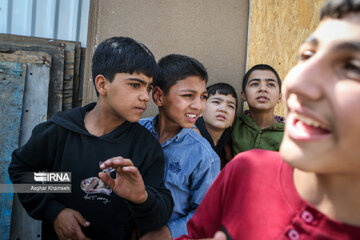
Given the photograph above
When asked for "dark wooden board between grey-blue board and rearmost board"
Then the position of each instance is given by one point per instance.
(57, 69)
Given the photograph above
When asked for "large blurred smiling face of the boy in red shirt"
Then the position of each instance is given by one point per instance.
(323, 100)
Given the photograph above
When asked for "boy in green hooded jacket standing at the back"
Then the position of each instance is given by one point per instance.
(258, 127)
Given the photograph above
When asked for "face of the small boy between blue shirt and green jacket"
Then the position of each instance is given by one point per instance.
(219, 111)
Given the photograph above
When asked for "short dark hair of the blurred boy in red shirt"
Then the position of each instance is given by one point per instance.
(339, 8)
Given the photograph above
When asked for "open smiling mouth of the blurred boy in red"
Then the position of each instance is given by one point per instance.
(304, 128)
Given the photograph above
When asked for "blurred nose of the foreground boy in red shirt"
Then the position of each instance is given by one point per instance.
(307, 79)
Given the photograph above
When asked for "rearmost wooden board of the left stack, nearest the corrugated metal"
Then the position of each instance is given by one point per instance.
(70, 63)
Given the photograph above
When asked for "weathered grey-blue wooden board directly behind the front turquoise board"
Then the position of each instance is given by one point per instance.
(34, 112)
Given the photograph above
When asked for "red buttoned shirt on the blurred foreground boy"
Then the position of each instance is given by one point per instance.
(254, 197)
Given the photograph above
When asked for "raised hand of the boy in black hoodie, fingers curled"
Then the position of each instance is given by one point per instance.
(128, 183)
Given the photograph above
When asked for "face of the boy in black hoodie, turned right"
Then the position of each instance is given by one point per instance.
(127, 96)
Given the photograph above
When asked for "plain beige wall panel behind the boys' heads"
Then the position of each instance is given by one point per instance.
(213, 31)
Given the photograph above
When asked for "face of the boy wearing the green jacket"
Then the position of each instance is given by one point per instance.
(262, 90)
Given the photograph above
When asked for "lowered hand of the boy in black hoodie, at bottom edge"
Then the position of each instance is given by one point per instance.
(67, 226)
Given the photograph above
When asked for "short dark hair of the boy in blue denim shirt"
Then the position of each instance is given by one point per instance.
(175, 67)
